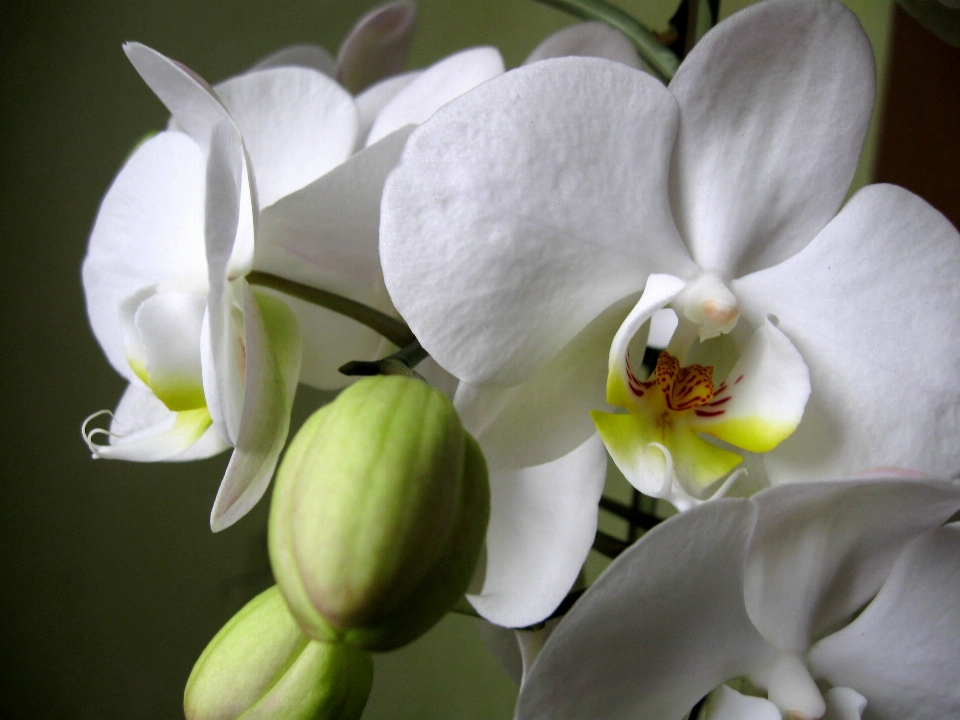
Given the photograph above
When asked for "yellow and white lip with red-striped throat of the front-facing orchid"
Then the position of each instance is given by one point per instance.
(669, 442)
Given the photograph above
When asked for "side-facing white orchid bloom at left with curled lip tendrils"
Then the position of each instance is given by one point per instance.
(277, 170)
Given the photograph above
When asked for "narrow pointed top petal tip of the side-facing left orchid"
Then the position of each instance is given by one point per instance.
(187, 96)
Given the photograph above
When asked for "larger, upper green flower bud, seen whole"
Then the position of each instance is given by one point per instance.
(379, 513)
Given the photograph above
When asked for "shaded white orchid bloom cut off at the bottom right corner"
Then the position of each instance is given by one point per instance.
(825, 597)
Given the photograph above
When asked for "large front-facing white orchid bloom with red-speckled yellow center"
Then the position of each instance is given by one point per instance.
(534, 226)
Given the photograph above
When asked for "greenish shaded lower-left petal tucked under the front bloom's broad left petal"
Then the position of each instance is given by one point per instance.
(548, 415)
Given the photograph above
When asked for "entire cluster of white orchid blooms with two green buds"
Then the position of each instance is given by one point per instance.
(604, 254)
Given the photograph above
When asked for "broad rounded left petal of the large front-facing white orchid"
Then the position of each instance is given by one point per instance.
(524, 209)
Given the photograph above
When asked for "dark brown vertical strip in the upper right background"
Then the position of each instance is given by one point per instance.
(920, 139)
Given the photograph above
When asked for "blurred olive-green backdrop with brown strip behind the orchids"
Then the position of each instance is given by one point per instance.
(112, 583)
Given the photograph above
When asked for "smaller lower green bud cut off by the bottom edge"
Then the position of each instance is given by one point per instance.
(260, 666)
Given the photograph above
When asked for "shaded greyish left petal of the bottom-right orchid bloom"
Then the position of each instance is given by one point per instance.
(662, 627)
